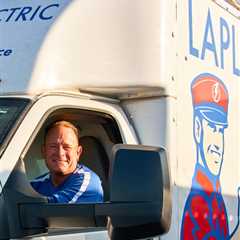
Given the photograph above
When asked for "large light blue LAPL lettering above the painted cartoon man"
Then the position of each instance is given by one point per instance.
(226, 44)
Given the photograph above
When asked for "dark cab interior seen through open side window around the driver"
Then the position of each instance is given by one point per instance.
(98, 134)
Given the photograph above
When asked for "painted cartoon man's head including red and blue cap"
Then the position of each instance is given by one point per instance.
(210, 104)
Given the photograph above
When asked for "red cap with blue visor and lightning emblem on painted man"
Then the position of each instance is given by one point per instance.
(210, 97)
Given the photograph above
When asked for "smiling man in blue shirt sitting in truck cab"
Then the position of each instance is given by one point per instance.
(67, 181)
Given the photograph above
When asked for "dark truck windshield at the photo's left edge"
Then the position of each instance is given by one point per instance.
(10, 111)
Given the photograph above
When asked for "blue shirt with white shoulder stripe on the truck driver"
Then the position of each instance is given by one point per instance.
(83, 186)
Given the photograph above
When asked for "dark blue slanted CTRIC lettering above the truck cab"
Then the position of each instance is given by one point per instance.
(28, 13)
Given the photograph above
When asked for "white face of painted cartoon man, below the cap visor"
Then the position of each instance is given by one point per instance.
(213, 145)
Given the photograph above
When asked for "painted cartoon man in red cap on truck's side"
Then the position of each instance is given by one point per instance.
(205, 215)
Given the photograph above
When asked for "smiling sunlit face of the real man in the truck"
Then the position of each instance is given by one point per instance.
(61, 150)
